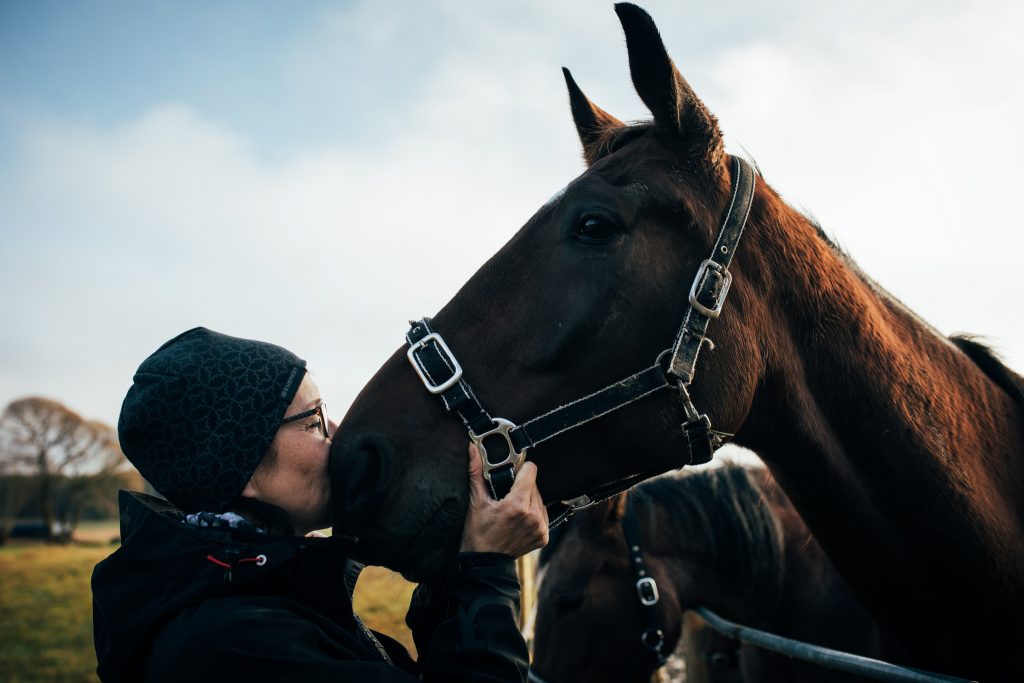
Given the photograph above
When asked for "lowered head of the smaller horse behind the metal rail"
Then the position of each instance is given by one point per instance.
(591, 625)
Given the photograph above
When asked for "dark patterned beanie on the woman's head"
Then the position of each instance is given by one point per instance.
(203, 411)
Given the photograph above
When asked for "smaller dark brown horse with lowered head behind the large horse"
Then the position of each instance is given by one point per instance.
(726, 539)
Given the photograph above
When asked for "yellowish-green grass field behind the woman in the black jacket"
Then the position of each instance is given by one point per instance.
(47, 608)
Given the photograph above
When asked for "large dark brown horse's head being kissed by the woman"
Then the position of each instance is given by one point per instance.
(591, 290)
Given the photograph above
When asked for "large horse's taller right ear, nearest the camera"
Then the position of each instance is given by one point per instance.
(665, 92)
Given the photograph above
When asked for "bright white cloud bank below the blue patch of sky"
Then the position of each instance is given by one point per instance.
(900, 136)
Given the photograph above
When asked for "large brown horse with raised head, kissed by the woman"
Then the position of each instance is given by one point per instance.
(904, 454)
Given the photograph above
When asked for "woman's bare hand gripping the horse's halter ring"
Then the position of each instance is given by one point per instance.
(514, 526)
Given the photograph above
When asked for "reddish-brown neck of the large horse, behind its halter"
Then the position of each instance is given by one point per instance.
(904, 458)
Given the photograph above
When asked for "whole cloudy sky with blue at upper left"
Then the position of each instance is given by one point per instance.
(284, 172)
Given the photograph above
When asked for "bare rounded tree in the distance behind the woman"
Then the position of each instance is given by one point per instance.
(65, 454)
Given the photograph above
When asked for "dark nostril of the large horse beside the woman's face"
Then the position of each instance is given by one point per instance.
(357, 483)
